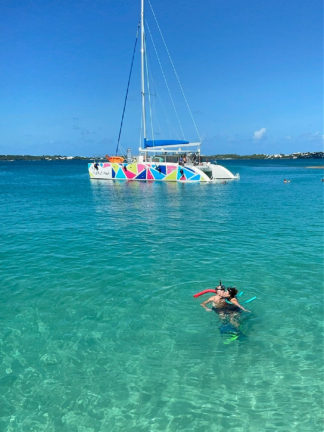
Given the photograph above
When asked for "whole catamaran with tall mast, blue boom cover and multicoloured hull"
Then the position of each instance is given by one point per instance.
(159, 160)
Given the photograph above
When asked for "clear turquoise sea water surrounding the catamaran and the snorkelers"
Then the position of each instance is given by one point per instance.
(98, 327)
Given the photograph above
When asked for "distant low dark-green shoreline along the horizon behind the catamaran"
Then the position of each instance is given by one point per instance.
(305, 155)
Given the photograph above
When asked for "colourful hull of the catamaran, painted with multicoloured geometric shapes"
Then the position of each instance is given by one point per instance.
(164, 171)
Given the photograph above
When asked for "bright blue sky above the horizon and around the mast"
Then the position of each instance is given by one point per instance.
(252, 73)
